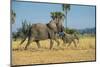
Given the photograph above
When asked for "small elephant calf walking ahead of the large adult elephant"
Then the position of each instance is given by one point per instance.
(69, 38)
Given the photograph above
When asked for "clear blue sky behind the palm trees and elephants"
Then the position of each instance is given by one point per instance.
(79, 16)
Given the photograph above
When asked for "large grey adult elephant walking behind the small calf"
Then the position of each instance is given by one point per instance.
(41, 31)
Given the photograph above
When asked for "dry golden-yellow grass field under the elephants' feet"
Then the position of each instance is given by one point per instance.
(33, 55)
